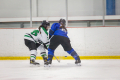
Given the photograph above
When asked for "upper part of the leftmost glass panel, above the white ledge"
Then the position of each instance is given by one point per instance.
(14, 8)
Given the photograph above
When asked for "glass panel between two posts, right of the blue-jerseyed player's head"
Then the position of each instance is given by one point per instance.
(85, 13)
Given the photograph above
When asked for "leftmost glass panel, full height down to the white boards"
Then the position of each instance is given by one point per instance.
(11, 11)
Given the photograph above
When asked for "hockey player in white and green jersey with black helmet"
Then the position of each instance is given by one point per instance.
(38, 39)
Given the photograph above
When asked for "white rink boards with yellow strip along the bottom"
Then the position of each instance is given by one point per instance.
(89, 43)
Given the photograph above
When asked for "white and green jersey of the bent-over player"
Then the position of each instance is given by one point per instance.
(35, 36)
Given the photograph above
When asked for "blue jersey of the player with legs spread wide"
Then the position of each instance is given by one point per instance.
(56, 30)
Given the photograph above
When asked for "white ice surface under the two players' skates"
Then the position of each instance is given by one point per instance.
(108, 69)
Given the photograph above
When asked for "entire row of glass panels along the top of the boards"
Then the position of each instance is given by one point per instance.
(81, 13)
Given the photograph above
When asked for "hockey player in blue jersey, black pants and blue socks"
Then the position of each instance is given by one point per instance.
(58, 35)
